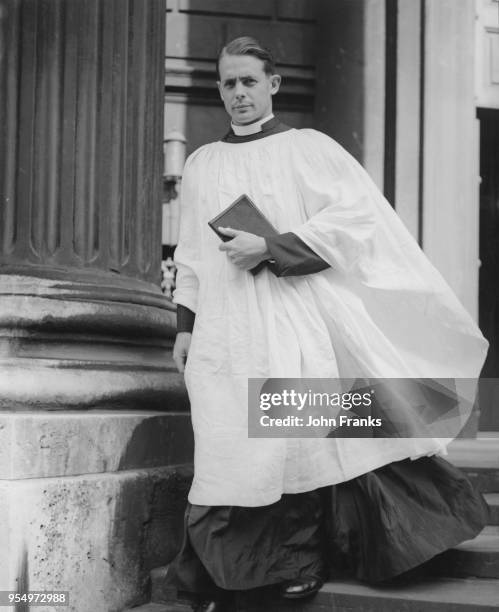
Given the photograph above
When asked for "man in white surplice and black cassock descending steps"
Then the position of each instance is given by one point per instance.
(345, 292)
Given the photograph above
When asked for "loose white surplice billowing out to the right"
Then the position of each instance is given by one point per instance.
(381, 310)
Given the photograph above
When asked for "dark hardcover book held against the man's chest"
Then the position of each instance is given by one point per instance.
(244, 215)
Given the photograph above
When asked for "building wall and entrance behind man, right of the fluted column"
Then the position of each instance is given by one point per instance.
(409, 87)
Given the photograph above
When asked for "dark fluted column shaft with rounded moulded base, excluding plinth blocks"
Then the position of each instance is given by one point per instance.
(81, 123)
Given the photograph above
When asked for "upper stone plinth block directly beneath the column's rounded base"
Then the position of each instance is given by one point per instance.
(61, 443)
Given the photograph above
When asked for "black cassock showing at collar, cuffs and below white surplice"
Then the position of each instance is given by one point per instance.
(373, 527)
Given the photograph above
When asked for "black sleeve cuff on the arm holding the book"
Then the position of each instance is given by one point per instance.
(290, 256)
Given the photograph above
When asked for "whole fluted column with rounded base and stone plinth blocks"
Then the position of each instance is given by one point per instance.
(85, 334)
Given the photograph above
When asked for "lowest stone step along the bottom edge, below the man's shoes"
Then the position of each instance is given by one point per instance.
(429, 595)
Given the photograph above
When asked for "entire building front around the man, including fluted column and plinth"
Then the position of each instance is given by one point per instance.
(93, 421)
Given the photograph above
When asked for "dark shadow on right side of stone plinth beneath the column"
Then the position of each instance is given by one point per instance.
(149, 508)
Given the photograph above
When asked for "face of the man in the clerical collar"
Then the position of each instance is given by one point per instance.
(245, 88)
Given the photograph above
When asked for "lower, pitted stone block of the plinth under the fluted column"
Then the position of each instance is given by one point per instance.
(97, 536)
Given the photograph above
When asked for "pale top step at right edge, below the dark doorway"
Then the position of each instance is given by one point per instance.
(479, 459)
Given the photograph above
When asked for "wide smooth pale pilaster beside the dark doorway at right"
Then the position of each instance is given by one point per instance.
(450, 226)
